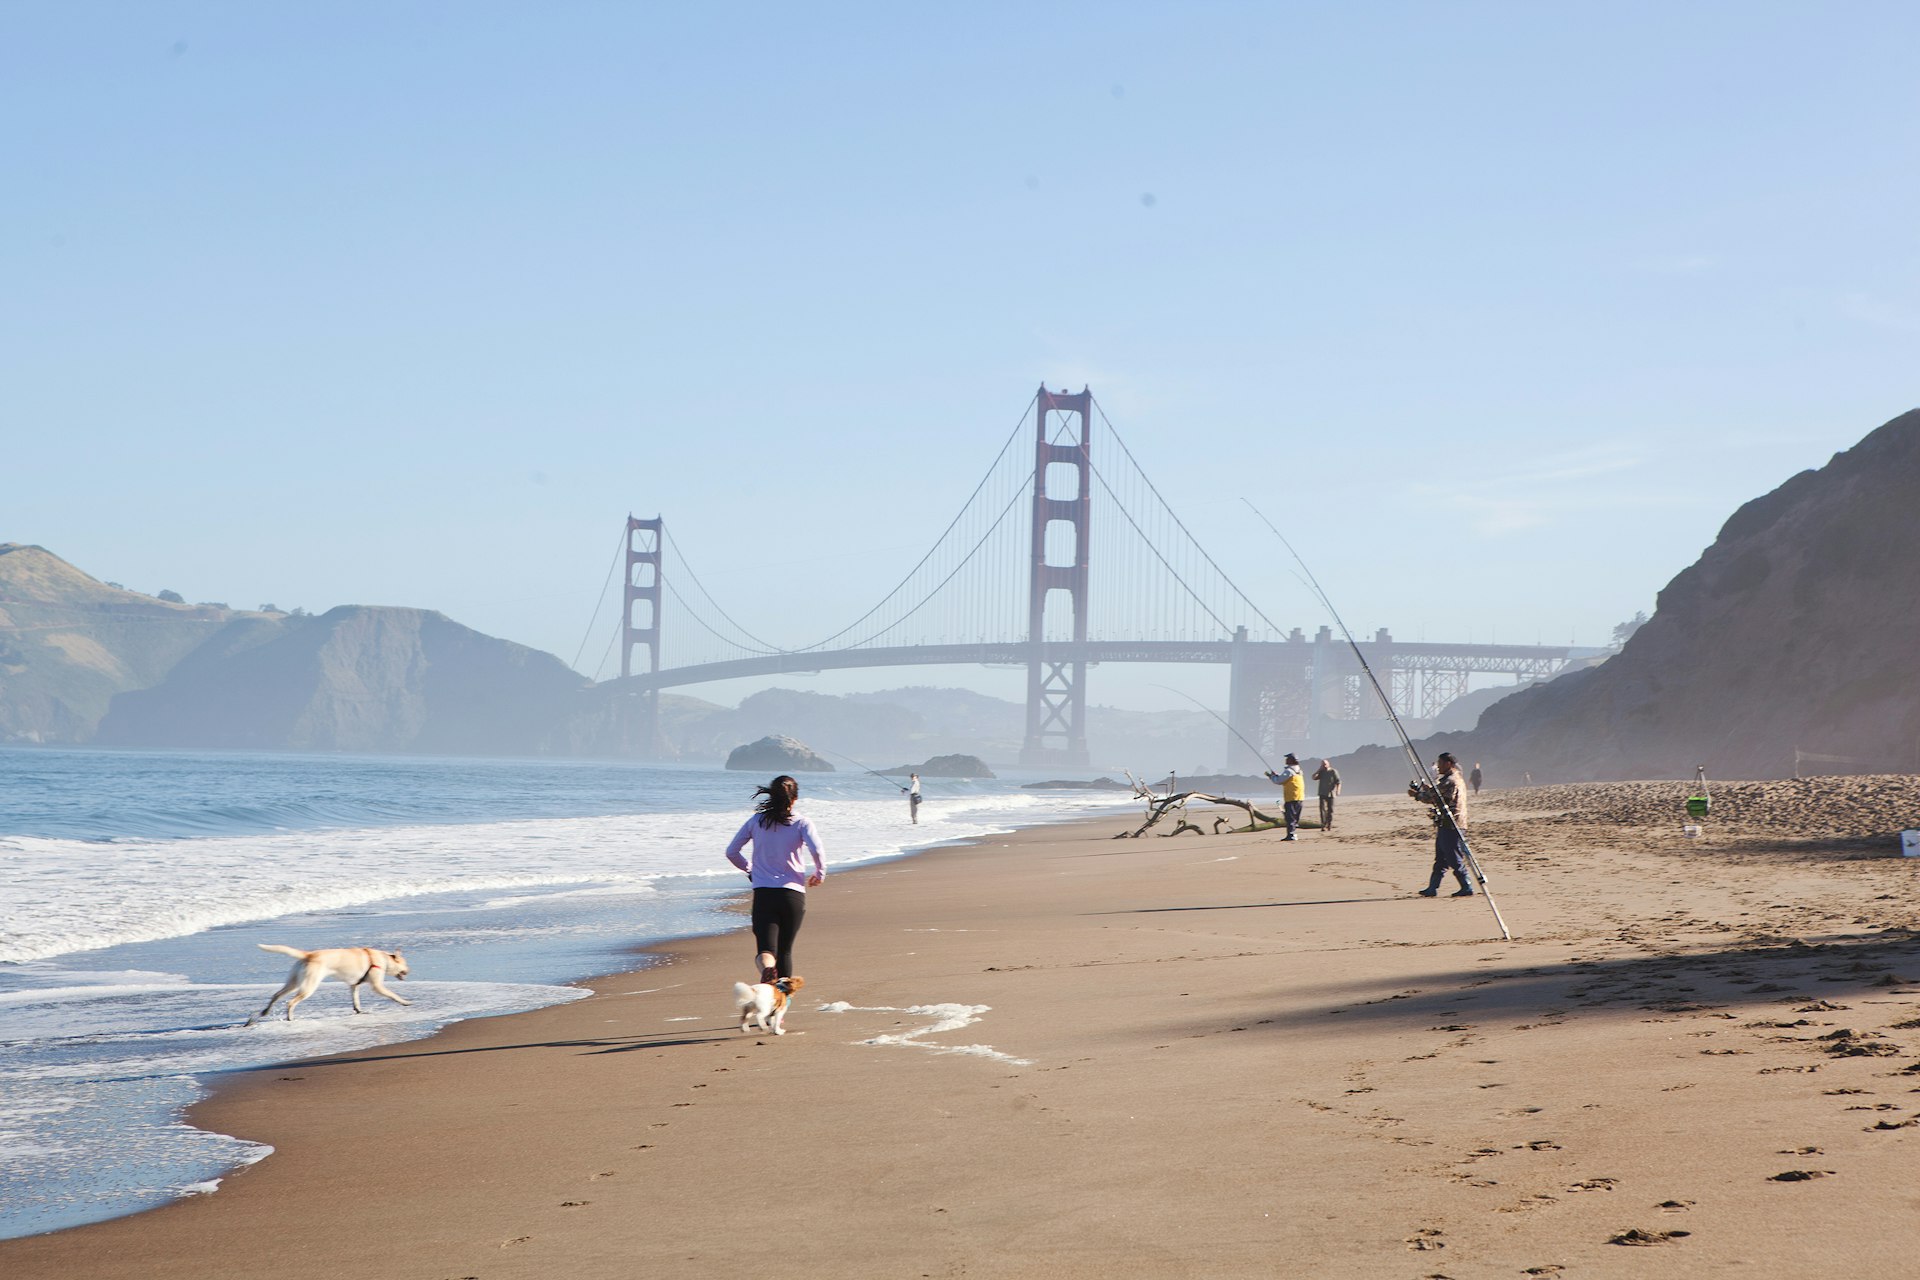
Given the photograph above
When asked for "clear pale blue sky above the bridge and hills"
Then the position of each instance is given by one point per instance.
(412, 304)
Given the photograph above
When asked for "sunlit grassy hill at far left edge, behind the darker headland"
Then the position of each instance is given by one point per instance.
(68, 644)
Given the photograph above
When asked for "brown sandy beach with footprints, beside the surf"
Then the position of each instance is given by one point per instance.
(1197, 1056)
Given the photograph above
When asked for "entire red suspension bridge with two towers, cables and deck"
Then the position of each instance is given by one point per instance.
(1153, 596)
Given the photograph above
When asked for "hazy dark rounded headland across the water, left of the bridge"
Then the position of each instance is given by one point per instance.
(356, 678)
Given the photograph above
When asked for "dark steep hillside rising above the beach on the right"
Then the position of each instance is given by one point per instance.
(1794, 632)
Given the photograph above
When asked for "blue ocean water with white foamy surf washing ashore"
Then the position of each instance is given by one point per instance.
(135, 886)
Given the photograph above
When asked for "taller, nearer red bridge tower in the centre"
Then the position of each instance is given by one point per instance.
(1057, 690)
